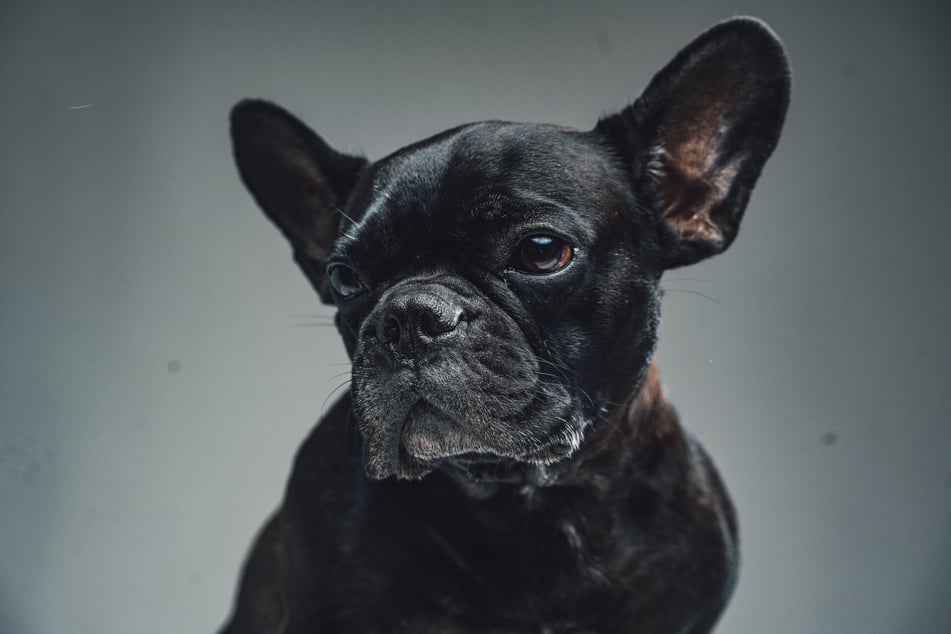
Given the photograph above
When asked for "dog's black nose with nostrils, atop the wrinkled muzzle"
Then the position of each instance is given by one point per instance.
(420, 318)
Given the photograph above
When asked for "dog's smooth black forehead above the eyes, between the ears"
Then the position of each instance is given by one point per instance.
(487, 177)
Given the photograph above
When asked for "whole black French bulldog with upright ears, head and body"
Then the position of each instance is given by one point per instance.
(506, 461)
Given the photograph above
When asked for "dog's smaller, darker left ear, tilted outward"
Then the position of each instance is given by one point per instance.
(299, 181)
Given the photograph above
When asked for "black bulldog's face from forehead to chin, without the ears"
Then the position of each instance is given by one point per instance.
(483, 284)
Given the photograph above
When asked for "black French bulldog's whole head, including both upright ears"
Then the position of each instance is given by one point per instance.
(497, 284)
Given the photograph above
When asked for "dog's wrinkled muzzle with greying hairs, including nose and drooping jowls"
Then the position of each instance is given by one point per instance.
(468, 397)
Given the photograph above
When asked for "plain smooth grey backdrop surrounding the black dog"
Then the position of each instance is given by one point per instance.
(160, 358)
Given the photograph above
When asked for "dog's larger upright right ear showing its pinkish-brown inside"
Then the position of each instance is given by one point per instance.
(697, 138)
